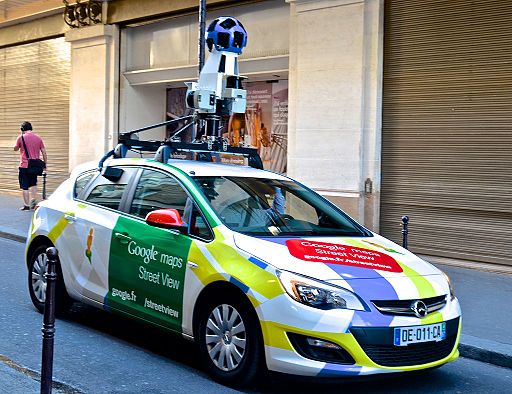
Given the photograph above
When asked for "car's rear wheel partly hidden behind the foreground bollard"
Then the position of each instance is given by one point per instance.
(37, 267)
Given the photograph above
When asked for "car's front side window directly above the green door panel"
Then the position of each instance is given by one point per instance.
(157, 190)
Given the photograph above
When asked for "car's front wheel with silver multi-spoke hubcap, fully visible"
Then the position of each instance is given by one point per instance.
(230, 326)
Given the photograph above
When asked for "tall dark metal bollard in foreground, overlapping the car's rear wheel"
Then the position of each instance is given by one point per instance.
(49, 321)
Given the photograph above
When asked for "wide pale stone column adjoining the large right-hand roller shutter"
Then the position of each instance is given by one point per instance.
(335, 87)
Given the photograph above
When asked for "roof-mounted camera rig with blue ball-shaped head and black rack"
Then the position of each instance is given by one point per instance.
(217, 93)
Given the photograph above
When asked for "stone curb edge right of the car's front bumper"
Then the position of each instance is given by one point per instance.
(487, 351)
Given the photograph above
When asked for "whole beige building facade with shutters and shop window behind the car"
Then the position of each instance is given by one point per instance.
(387, 108)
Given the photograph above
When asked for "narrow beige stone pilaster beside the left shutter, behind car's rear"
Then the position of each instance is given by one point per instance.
(93, 92)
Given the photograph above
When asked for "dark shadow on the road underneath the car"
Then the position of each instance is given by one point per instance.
(179, 351)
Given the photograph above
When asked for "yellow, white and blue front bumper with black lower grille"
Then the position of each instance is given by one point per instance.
(370, 347)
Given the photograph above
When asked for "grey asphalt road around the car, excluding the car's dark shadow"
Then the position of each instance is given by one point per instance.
(99, 353)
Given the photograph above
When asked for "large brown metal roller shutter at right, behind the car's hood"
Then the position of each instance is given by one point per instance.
(447, 127)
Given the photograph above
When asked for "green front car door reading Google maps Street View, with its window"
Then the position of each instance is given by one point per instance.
(147, 264)
